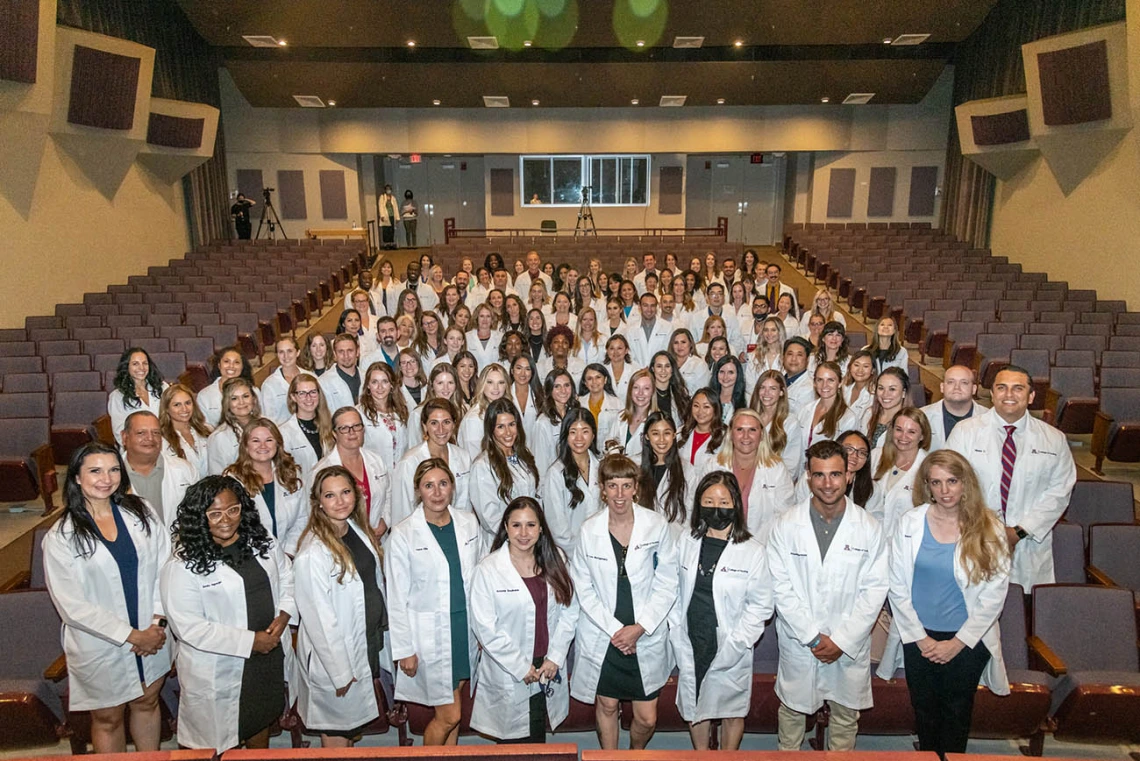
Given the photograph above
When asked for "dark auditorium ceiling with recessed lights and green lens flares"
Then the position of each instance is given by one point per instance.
(584, 53)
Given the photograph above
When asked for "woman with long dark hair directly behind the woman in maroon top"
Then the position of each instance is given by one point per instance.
(504, 470)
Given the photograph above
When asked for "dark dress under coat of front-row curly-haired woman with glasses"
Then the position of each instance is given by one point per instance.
(263, 699)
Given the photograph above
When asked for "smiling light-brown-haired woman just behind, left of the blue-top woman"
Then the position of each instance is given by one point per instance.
(894, 467)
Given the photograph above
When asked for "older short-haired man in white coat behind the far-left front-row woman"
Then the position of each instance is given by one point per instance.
(161, 480)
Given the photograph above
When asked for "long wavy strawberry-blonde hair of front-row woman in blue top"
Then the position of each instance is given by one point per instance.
(982, 542)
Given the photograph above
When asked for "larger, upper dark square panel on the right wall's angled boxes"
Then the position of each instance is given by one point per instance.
(1074, 85)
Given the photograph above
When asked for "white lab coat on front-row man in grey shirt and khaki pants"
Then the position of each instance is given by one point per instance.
(841, 596)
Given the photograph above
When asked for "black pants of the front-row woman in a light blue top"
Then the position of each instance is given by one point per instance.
(942, 694)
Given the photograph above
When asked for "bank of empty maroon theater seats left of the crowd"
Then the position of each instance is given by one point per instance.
(56, 372)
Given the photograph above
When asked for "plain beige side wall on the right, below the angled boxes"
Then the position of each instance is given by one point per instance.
(1090, 238)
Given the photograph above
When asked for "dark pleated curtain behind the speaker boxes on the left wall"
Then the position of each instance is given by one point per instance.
(185, 69)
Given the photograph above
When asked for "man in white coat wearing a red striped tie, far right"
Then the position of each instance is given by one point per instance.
(1027, 472)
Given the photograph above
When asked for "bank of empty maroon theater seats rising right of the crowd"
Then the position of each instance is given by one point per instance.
(966, 307)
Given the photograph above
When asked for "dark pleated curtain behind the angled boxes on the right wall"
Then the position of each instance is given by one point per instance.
(989, 64)
